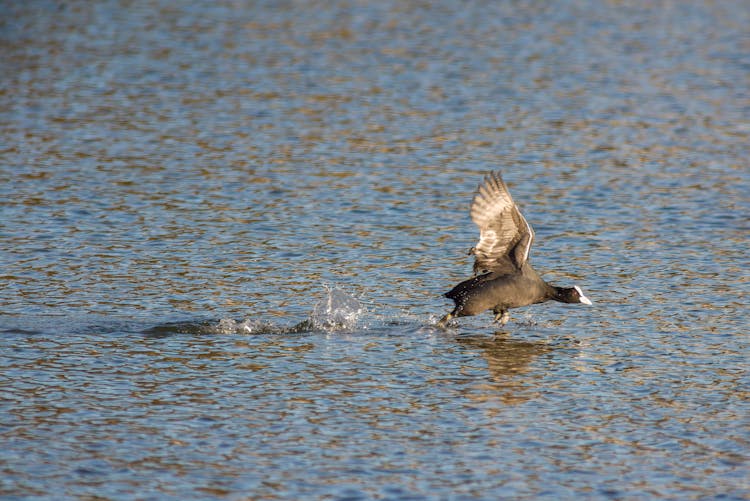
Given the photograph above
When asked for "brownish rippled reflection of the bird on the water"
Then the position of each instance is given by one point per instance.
(509, 364)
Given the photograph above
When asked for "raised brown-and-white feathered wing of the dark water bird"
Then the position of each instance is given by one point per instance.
(504, 235)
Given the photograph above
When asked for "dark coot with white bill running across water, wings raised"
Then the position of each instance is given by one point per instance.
(503, 275)
